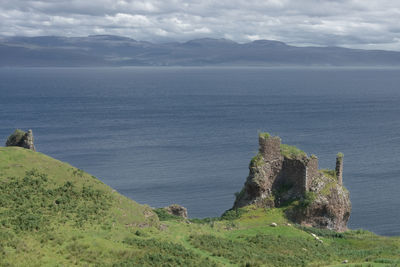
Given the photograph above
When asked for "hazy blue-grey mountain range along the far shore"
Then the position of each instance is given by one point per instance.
(109, 50)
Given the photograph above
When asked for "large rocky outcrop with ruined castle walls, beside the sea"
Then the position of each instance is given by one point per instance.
(284, 176)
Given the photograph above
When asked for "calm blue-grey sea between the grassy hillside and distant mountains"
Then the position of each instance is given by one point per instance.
(186, 135)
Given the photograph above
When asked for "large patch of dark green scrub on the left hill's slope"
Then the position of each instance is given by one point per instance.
(31, 202)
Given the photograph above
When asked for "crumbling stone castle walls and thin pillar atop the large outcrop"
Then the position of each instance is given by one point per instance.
(290, 175)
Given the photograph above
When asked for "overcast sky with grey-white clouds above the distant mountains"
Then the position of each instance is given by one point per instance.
(349, 23)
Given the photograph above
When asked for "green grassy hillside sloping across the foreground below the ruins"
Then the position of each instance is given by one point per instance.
(52, 214)
